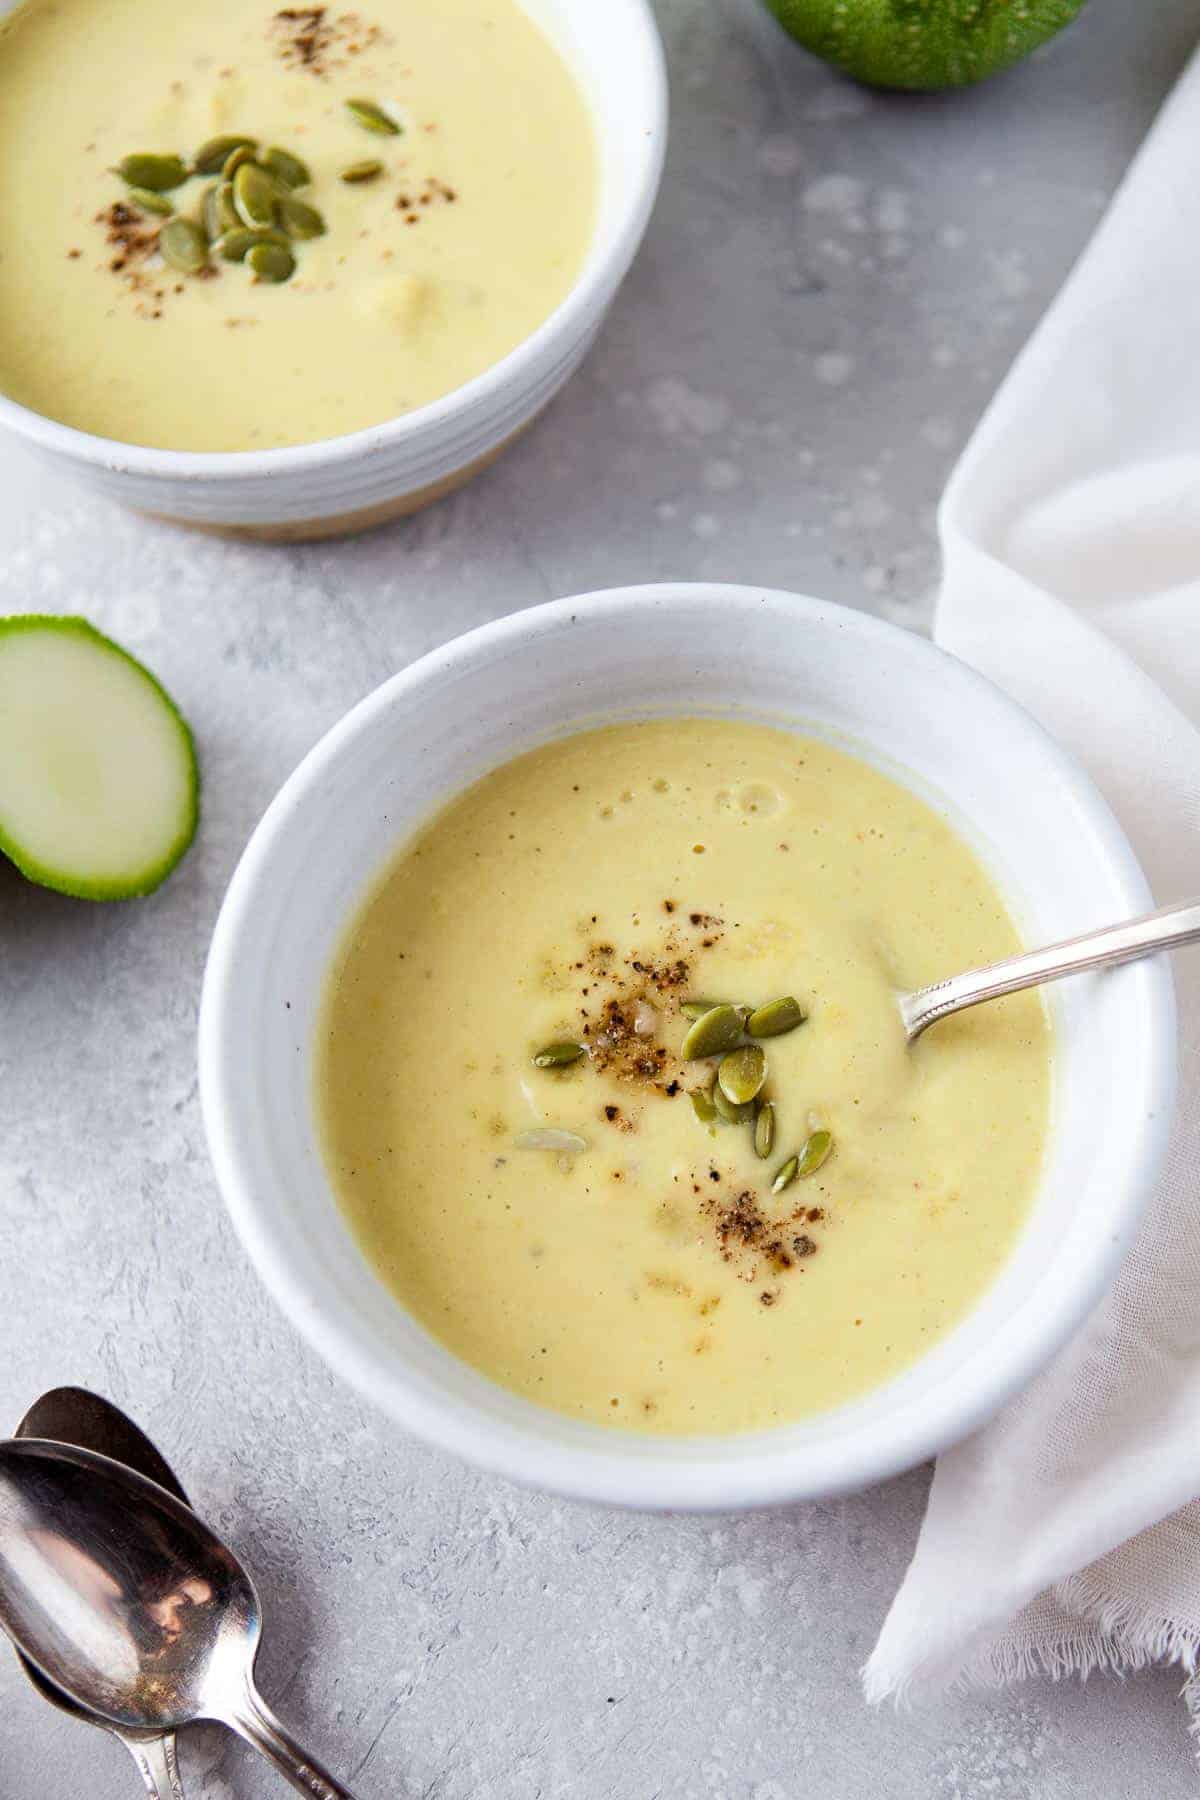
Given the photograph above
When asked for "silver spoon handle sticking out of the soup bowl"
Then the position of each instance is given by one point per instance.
(1095, 949)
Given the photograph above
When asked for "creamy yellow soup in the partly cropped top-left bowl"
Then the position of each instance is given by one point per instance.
(431, 271)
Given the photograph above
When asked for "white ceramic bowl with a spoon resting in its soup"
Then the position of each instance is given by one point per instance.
(1034, 816)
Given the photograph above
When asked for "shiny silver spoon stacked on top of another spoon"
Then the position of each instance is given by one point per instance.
(132, 1606)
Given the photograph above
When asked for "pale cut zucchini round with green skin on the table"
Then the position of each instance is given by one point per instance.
(100, 789)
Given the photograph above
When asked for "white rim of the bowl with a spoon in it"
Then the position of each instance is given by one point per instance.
(667, 1477)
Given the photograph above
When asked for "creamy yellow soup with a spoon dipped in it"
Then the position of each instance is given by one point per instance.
(589, 1236)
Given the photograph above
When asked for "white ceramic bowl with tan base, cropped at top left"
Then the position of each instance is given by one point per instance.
(366, 478)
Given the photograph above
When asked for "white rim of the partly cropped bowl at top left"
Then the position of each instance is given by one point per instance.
(569, 321)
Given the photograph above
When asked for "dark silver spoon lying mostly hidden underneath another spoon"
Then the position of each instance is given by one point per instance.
(73, 1416)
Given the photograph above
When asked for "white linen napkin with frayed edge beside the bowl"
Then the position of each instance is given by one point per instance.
(1066, 1534)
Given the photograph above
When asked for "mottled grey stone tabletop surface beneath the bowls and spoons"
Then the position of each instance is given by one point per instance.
(830, 291)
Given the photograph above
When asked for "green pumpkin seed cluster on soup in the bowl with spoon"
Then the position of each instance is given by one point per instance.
(735, 1095)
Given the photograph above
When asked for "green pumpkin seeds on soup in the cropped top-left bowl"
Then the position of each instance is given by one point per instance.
(251, 210)
